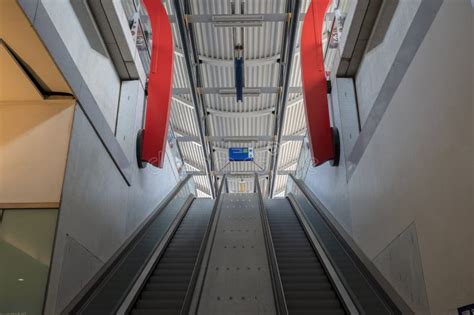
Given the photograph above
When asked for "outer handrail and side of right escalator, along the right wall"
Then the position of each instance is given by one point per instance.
(365, 266)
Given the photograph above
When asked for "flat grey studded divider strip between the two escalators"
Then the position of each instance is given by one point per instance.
(238, 278)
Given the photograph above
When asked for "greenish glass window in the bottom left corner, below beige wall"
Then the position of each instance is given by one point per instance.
(26, 244)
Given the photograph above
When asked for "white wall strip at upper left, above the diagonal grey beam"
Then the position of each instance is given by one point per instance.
(97, 70)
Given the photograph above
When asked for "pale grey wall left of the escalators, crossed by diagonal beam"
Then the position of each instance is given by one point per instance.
(98, 209)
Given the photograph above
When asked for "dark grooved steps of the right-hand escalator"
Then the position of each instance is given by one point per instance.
(306, 285)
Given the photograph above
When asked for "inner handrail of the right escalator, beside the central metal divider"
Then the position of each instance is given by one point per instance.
(280, 301)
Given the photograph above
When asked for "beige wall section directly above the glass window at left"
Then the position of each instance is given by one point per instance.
(34, 139)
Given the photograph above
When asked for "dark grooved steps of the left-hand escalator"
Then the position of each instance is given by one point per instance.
(165, 289)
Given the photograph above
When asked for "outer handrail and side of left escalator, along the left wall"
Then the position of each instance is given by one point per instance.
(91, 288)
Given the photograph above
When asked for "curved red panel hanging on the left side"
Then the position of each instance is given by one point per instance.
(159, 85)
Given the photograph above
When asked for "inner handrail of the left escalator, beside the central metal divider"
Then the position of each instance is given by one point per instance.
(197, 281)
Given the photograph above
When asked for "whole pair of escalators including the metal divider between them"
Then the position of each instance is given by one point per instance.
(239, 254)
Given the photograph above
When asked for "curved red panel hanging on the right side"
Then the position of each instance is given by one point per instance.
(314, 83)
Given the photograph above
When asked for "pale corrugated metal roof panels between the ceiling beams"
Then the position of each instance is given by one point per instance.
(255, 116)
